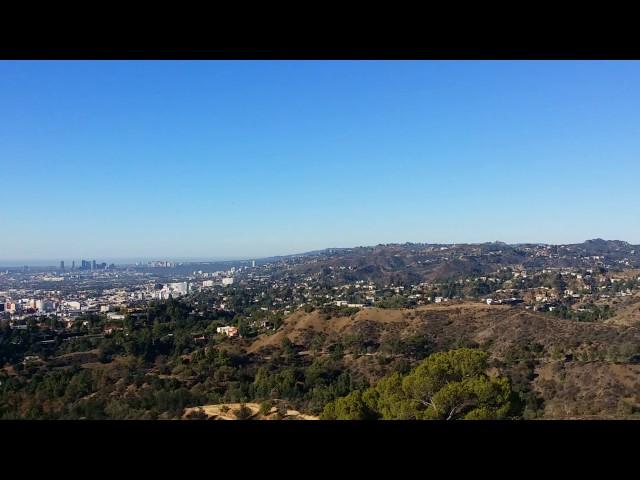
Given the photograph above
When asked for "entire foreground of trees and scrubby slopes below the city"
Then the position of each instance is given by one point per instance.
(427, 365)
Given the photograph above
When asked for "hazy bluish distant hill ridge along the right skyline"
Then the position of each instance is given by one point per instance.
(417, 262)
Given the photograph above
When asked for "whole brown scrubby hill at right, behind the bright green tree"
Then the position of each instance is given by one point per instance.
(567, 369)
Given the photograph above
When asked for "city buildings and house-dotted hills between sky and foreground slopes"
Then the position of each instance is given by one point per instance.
(96, 299)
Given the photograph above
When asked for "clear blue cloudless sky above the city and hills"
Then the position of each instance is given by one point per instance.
(248, 159)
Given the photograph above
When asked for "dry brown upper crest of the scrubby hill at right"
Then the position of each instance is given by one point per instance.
(499, 328)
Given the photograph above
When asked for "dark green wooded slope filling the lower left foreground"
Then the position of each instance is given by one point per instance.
(162, 361)
